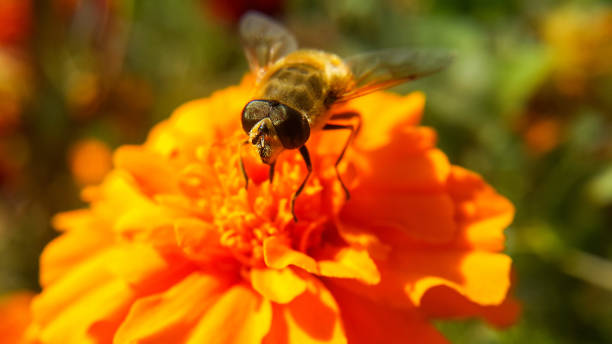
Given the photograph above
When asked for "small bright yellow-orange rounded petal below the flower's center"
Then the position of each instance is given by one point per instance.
(280, 286)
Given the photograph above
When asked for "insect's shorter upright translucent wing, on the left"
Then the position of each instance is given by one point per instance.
(265, 41)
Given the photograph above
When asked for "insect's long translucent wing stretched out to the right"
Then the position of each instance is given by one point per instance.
(377, 70)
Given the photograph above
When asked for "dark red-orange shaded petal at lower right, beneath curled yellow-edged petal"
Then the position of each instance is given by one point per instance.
(444, 302)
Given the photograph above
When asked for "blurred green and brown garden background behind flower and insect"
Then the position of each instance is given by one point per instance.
(527, 104)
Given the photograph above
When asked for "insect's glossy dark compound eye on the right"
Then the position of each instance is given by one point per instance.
(291, 126)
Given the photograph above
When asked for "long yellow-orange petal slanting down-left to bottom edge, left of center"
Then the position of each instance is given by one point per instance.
(167, 317)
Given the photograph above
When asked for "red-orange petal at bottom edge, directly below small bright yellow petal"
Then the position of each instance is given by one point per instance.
(311, 318)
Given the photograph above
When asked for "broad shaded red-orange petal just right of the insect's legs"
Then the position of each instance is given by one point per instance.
(403, 183)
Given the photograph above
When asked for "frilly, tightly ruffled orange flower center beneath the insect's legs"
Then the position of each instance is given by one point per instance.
(244, 218)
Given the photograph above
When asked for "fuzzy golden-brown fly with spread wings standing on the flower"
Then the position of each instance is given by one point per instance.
(295, 90)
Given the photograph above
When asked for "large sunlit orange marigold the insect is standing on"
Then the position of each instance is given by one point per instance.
(173, 249)
